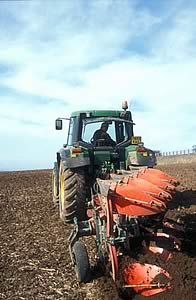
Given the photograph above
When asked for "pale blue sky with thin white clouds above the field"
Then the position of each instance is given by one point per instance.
(62, 56)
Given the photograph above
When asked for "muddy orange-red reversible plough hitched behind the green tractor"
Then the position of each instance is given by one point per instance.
(127, 208)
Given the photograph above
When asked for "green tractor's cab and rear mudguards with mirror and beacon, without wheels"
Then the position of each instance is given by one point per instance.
(103, 140)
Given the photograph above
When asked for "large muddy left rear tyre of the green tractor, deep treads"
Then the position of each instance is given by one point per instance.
(72, 194)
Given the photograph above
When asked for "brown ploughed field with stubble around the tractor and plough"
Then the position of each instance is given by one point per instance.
(34, 256)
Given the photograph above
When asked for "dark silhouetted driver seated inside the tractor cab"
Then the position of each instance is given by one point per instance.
(101, 137)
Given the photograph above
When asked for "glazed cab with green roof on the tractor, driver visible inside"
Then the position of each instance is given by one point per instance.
(87, 128)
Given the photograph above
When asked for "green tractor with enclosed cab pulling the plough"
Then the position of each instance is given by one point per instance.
(100, 142)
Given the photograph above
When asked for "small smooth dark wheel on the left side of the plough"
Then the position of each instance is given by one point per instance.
(81, 261)
